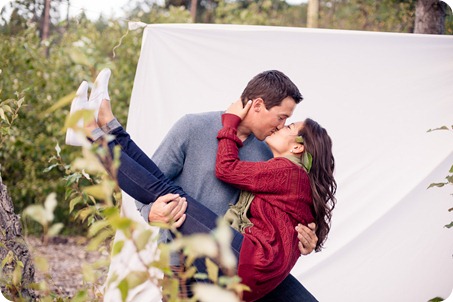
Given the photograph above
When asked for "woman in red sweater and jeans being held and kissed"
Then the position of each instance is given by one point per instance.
(296, 186)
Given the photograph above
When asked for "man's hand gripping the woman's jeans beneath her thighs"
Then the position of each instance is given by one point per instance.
(169, 208)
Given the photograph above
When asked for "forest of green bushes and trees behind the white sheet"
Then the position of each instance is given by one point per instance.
(45, 53)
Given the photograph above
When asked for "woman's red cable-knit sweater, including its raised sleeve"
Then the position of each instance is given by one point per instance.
(283, 199)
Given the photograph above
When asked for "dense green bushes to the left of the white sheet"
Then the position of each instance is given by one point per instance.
(46, 73)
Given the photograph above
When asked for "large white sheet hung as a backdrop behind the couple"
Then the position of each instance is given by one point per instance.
(377, 94)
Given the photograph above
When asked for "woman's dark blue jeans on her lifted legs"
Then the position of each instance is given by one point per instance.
(140, 177)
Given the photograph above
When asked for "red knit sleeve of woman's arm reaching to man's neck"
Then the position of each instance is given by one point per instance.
(256, 177)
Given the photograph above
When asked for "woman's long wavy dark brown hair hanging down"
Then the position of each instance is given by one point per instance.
(323, 185)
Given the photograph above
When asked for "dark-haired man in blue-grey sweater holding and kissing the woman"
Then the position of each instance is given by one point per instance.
(187, 155)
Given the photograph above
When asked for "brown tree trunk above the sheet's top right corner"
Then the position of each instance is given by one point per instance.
(430, 17)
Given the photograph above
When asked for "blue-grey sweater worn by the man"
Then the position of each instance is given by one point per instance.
(187, 156)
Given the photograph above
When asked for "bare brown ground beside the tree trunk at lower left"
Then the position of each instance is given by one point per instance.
(65, 257)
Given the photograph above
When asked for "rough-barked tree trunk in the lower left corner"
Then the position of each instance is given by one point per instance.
(11, 240)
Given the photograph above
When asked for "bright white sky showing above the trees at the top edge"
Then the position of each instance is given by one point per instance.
(93, 8)
